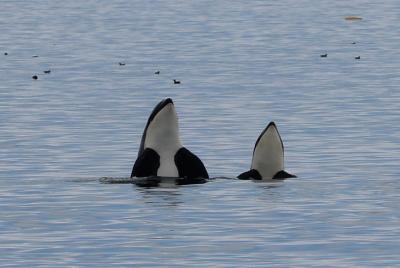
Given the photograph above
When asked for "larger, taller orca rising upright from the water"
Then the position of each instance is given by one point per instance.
(161, 153)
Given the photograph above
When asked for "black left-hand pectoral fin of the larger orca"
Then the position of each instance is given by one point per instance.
(146, 164)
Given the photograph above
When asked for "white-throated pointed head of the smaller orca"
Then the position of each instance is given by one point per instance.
(268, 153)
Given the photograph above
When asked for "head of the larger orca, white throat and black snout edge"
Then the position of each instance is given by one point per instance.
(162, 130)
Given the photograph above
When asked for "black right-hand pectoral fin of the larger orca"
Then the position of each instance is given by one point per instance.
(189, 165)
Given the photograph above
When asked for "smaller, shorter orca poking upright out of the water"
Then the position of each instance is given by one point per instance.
(267, 162)
